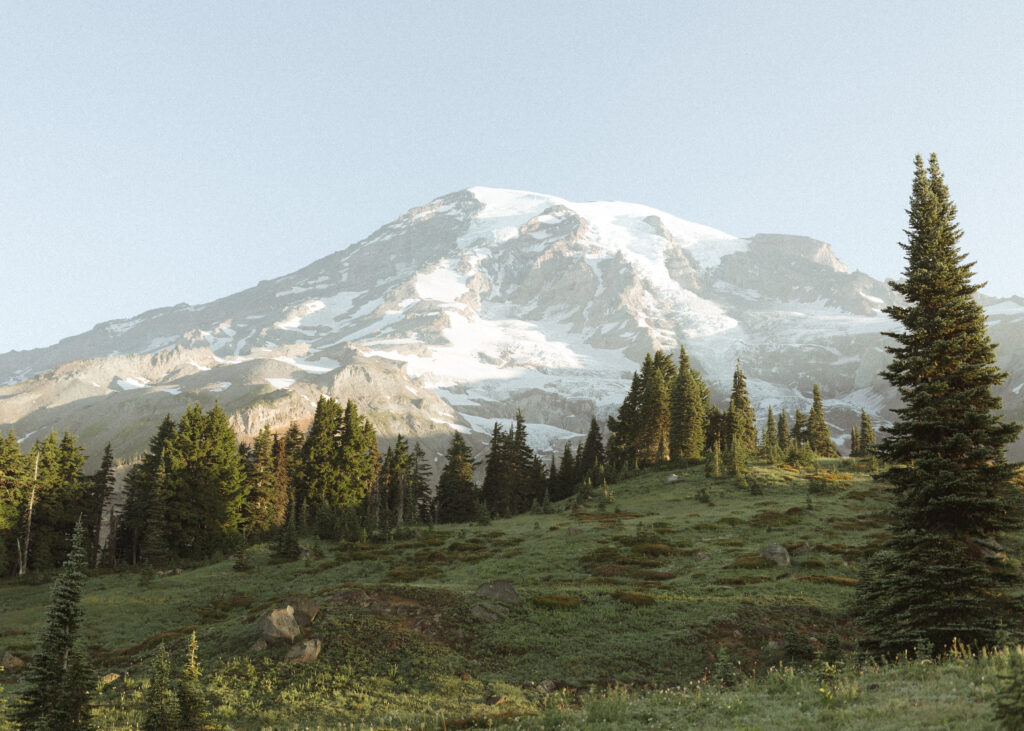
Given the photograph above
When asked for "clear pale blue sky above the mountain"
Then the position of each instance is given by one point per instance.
(156, 153)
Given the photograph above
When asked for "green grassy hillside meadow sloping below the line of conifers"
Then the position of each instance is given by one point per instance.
(634, 620)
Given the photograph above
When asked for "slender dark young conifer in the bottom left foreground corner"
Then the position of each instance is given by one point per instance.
(59, 679)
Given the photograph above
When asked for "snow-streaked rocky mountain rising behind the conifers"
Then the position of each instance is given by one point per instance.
(482, 303)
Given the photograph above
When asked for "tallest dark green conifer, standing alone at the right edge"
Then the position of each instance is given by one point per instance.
(936, 580)
